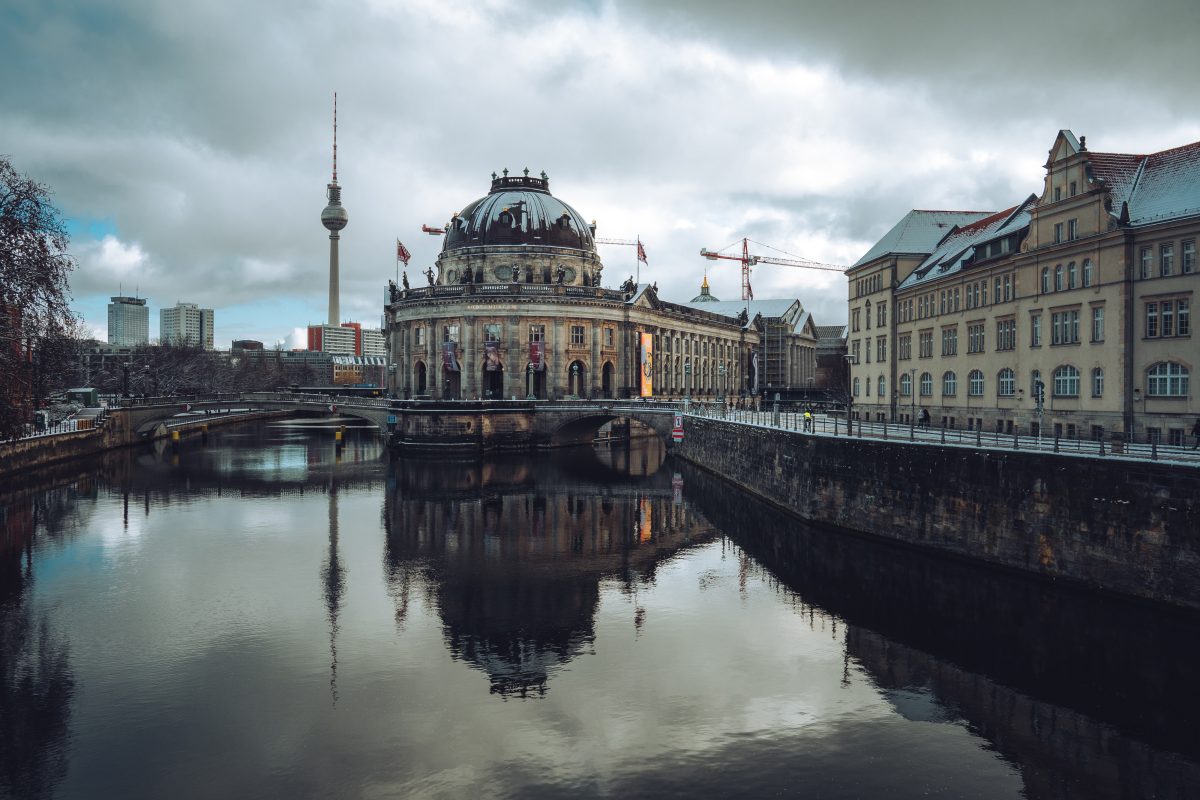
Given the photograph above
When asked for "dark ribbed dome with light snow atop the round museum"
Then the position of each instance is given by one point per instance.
(520, 210)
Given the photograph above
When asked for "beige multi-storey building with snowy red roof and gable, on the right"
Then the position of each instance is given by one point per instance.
(1087, 288)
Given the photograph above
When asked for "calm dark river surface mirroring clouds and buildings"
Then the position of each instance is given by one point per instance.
(261, 617)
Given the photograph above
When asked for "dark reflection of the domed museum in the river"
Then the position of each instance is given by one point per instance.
(512, 552)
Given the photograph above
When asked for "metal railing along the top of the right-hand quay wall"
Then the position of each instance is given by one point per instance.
(835, 426)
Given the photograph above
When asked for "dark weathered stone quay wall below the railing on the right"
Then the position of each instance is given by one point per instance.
(1120, 526)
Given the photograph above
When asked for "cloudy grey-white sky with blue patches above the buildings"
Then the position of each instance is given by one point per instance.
(189, 146)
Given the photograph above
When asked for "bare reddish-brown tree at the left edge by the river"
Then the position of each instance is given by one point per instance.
(35, 294)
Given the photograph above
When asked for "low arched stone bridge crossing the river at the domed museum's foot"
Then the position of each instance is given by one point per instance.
(458, 425)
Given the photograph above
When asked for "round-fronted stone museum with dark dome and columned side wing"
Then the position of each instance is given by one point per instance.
(515, 309)
